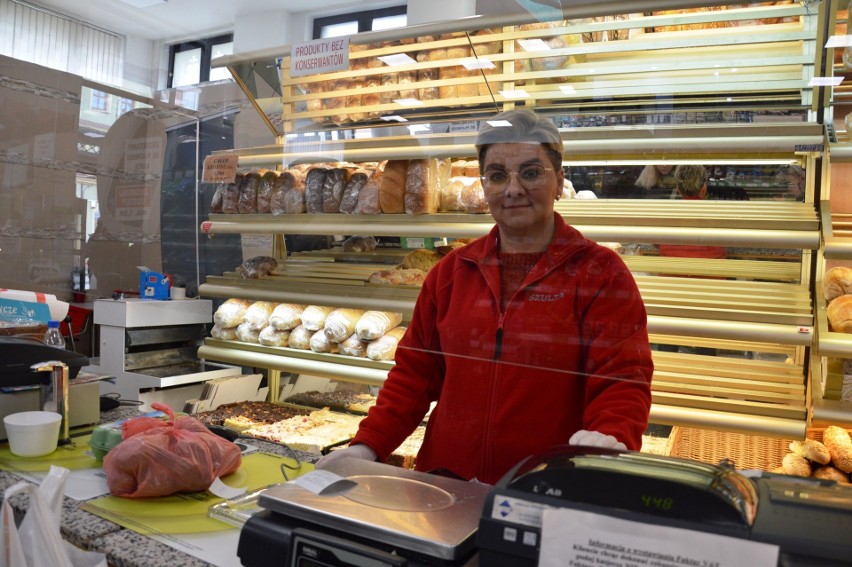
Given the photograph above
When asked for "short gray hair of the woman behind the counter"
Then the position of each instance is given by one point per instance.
(522, 126)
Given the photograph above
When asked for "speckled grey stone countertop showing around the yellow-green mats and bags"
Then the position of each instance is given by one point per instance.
(123, 547)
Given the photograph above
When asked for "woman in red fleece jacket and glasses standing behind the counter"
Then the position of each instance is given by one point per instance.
(529, 337)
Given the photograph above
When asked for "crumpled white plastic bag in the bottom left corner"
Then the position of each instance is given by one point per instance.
(37, 541)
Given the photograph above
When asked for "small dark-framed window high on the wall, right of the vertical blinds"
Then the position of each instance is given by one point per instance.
(189, 62)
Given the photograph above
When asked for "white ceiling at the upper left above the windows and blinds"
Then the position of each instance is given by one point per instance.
(180, 19)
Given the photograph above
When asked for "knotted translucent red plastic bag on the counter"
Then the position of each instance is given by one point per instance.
(158, 458)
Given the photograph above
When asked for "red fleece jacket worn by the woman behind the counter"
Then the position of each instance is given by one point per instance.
(570, 352)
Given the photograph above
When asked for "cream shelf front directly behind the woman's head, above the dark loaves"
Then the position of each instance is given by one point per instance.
(722, 144)
